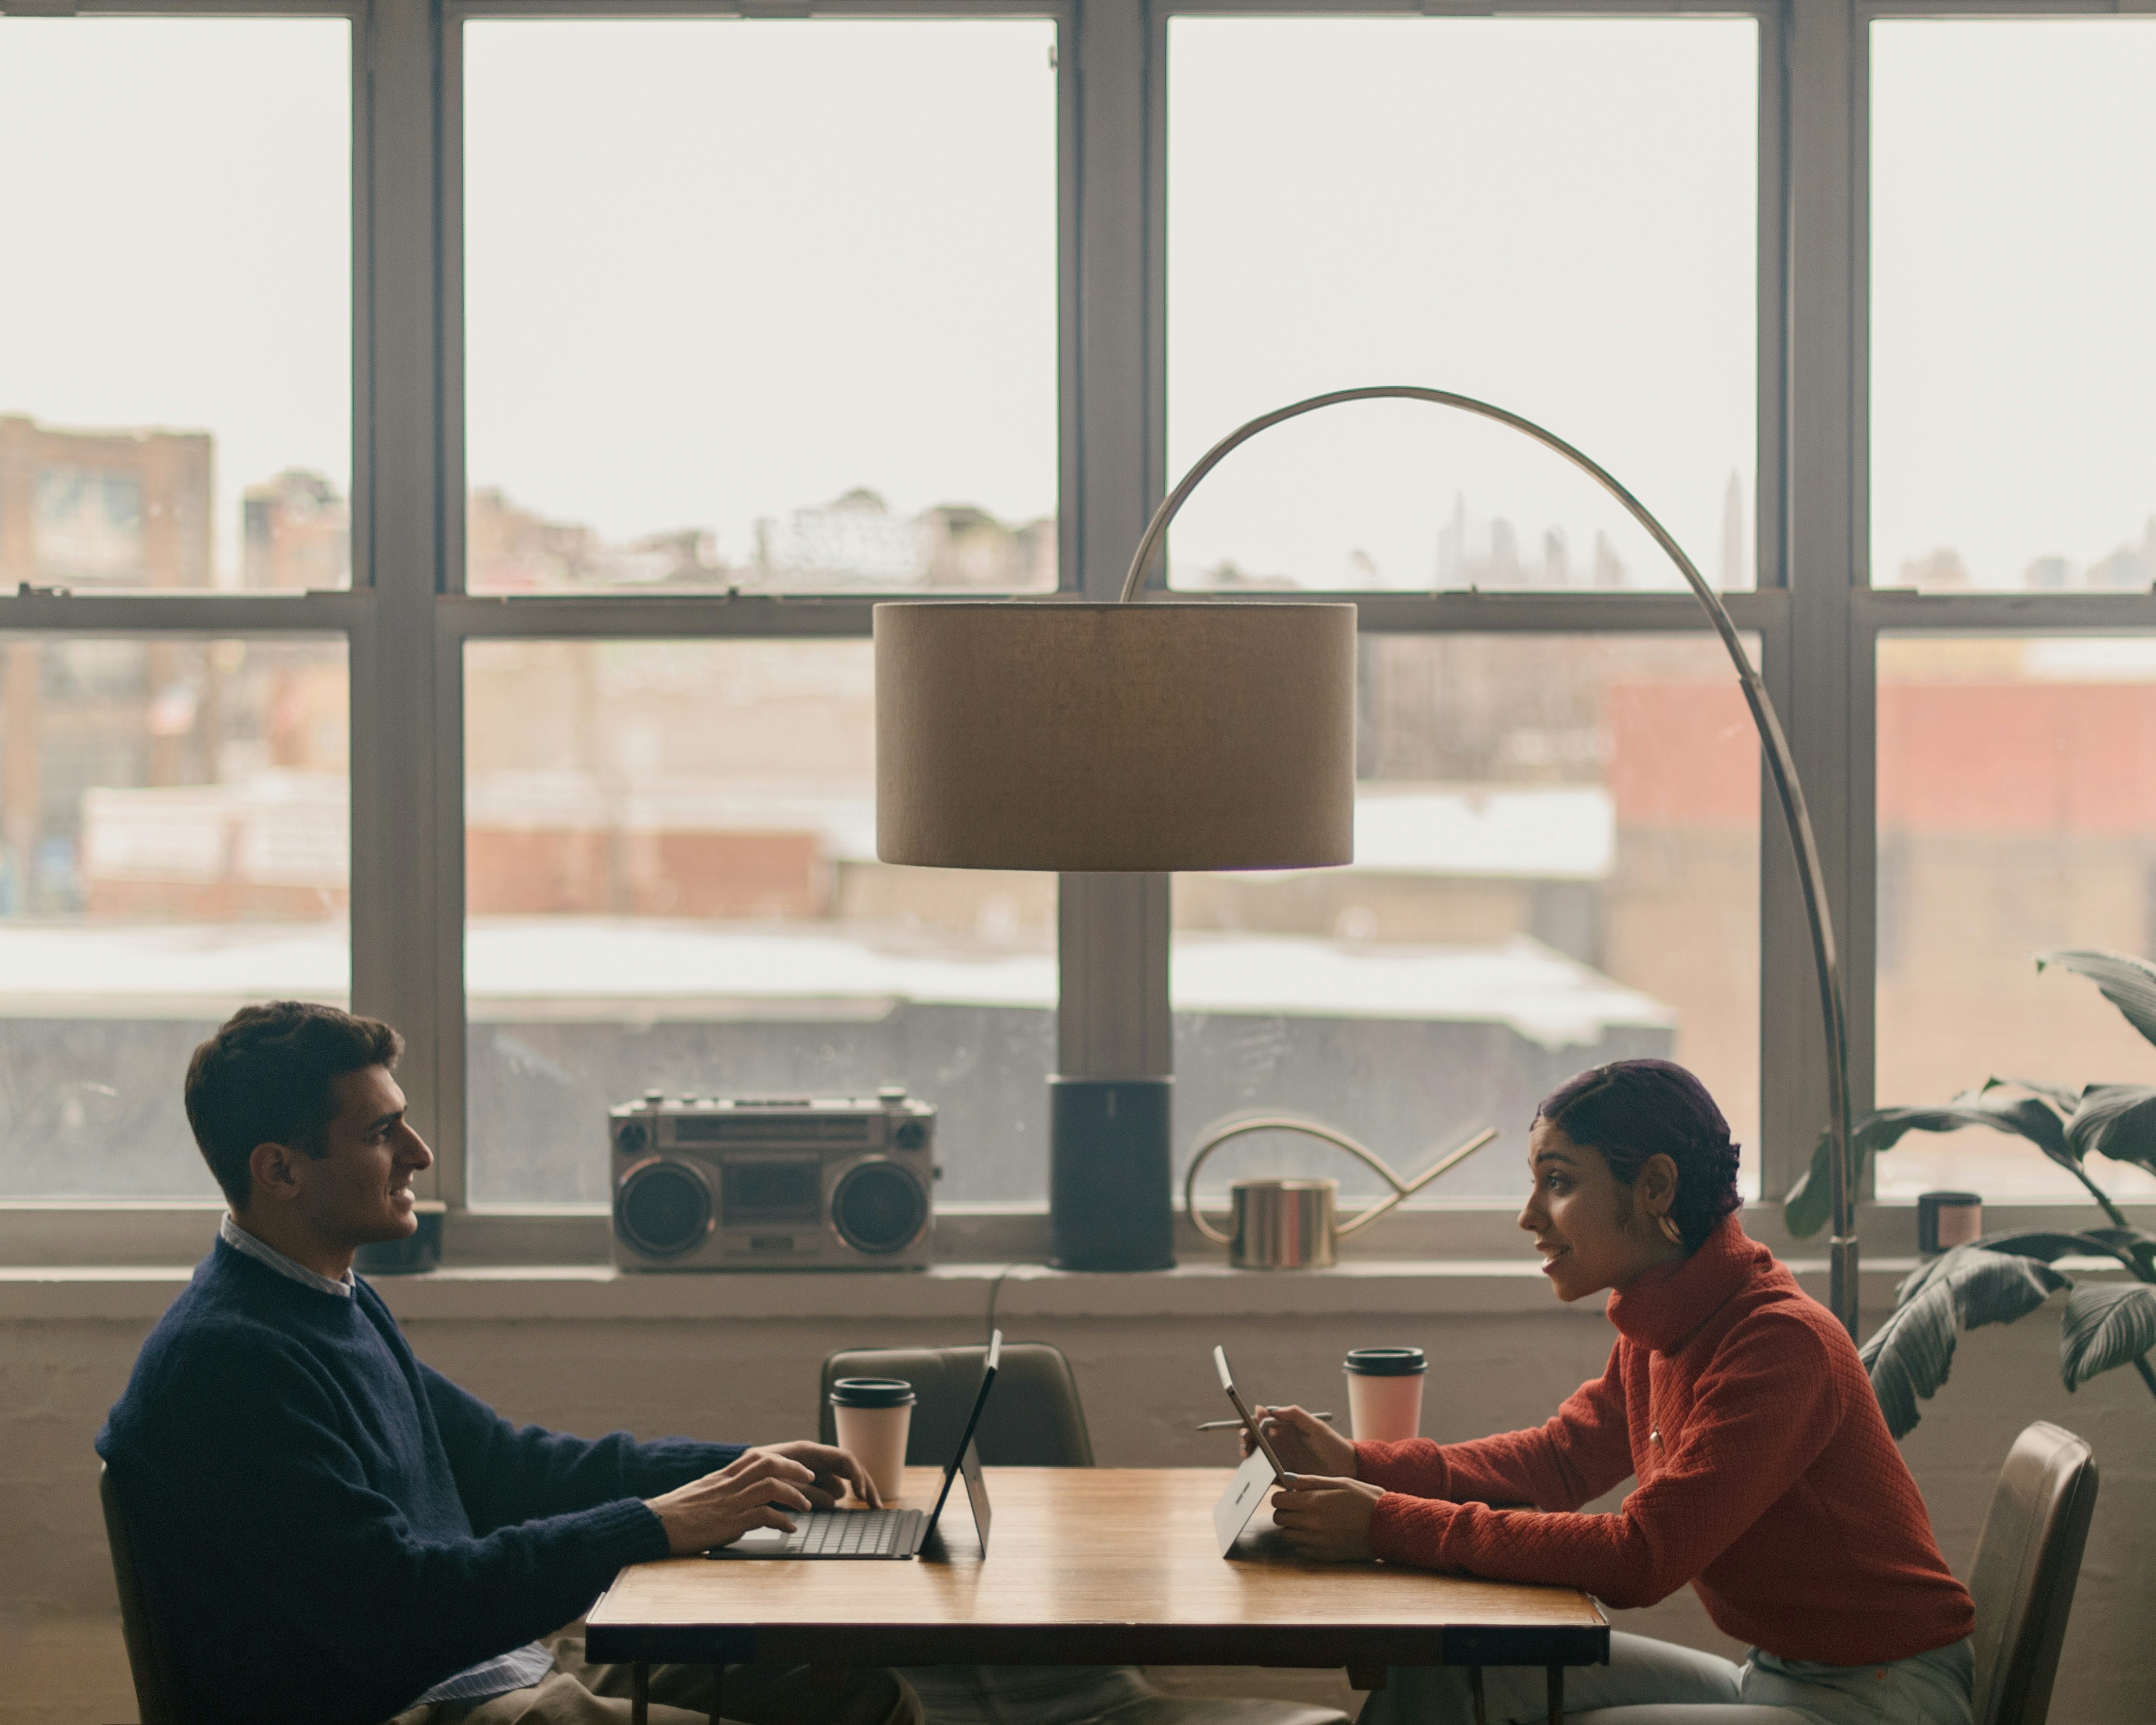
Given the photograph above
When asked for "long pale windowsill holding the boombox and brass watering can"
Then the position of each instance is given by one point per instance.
(941, 1295)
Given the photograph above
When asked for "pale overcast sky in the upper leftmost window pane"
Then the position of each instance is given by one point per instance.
(176, 225)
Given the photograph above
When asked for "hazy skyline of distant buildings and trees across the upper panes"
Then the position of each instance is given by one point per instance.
(87, 523)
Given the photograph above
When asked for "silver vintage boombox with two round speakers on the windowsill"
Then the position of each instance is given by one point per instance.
(773, 1185)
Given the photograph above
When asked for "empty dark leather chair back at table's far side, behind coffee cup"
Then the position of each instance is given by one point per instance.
(1034, 1420)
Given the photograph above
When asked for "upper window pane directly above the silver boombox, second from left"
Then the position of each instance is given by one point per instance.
(762, 305)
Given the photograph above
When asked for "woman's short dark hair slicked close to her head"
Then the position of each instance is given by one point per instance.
(1637, 1109)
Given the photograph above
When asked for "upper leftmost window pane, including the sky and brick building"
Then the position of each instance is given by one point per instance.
(176, 383)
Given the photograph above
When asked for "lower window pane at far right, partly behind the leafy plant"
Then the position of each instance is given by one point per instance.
(2017, 816)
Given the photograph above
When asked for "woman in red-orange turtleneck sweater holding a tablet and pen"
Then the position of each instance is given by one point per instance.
(1767, 1478)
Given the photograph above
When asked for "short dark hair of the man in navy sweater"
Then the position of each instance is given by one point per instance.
(268, 1079)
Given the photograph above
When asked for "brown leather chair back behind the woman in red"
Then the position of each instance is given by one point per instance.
(2026, 1573)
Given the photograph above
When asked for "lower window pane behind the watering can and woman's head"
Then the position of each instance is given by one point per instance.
(1558, 864)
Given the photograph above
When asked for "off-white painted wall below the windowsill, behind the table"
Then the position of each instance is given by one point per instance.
(1146, 1383)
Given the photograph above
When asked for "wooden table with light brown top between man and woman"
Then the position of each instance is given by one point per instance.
(1090, 1567)
